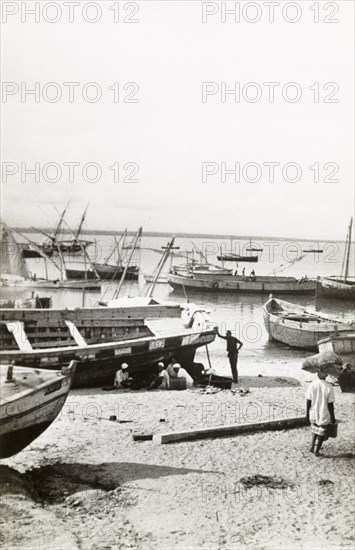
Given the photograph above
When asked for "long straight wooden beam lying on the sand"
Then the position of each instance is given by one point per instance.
(229, 430)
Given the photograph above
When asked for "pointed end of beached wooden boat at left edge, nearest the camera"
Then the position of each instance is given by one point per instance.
(30, 400)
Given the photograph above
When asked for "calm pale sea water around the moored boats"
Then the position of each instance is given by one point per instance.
(241, 314)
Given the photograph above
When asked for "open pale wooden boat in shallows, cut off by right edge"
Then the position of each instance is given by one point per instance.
(295, 326)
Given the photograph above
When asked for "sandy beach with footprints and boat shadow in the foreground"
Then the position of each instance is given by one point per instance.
(86, 484)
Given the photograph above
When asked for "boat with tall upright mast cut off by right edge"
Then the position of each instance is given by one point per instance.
(343, 287)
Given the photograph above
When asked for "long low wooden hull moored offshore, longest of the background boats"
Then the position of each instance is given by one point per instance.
(238, 285)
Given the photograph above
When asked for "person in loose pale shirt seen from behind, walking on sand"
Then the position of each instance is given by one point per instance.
(320, 410)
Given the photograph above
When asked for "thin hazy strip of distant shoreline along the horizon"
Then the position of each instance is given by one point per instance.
(184, 235)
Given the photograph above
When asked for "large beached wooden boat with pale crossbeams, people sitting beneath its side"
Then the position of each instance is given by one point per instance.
(138, 331)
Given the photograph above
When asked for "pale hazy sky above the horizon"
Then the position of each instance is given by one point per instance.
(170, 132)
